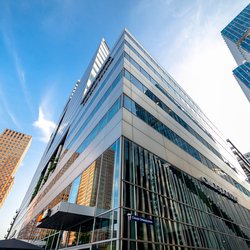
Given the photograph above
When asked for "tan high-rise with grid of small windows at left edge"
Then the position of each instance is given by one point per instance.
(13, 147)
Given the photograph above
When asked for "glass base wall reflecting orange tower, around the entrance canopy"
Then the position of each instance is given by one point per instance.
(98, 187)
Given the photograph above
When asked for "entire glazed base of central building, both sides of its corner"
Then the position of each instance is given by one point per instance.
(184, 211)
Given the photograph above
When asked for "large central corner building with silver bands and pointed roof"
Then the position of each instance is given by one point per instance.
(135, 164)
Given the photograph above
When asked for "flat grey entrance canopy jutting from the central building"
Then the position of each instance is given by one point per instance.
(65, 215)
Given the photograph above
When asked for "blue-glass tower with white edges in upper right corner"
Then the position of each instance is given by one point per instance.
(237, 37)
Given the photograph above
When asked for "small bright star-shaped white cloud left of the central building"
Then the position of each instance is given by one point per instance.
(46, 126)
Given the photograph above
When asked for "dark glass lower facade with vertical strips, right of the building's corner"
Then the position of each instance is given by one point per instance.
(186, 213)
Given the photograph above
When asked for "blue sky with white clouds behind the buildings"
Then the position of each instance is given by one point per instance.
(46, 45)
